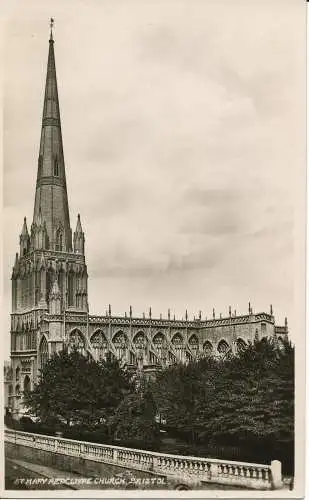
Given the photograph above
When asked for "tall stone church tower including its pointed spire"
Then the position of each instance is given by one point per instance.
(49, 274)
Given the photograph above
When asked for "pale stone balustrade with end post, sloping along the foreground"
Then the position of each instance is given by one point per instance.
(193, 469)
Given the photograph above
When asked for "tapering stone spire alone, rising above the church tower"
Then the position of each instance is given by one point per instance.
(51, 200)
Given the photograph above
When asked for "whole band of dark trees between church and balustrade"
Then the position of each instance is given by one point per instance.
(241, 408)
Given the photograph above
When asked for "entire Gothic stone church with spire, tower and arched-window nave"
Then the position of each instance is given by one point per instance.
(50, 289)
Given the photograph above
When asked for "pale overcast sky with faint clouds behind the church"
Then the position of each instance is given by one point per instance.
(184, 142)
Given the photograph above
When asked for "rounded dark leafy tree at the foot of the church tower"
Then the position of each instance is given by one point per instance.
(75, 389)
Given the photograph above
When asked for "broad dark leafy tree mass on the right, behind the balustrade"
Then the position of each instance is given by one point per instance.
(246, 400)
